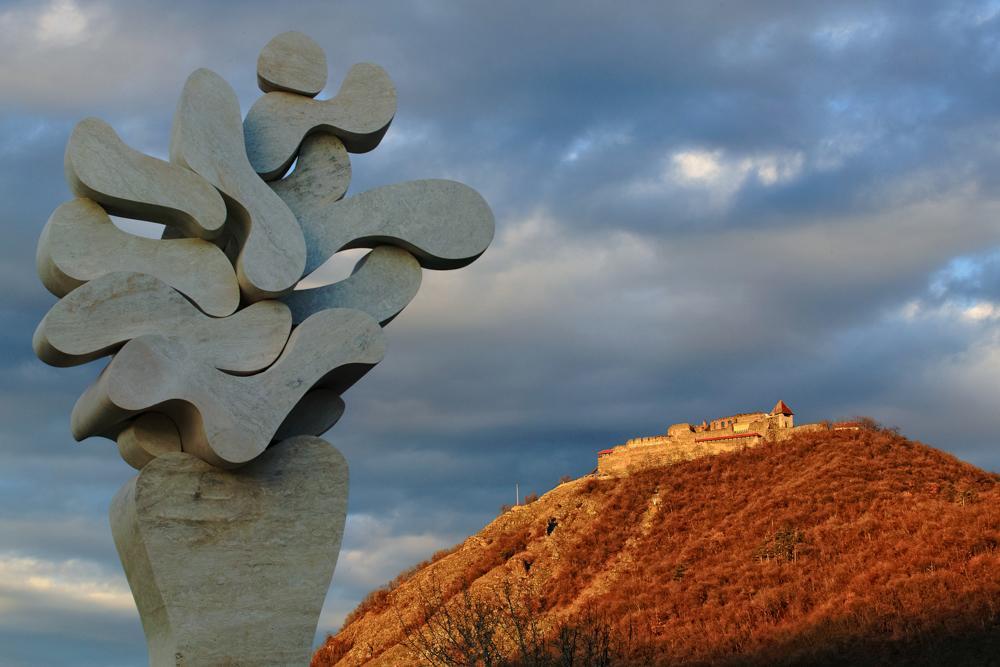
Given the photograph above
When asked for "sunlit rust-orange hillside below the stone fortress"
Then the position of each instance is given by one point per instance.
(838, 547)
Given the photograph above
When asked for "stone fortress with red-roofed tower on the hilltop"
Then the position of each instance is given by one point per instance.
(686, 441)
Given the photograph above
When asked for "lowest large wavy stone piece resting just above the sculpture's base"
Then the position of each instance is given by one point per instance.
(224, 419)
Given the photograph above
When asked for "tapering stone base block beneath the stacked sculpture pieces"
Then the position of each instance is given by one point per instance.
(231, 567)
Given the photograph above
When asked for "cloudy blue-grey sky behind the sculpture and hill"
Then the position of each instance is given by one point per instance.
(700, 210)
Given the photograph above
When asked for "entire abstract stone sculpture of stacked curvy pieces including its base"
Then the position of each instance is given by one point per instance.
(224, 370)
